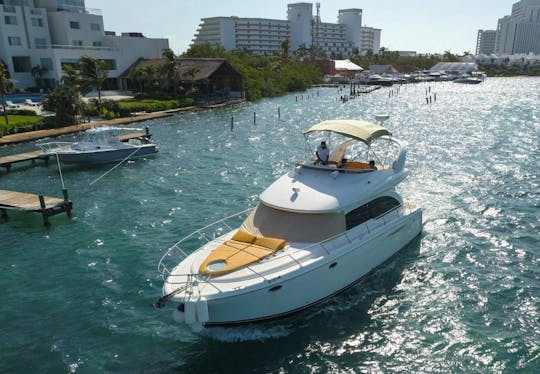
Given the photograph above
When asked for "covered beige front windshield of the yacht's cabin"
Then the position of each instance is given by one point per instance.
(294, 227)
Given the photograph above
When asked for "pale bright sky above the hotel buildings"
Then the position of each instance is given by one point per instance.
(424, 26)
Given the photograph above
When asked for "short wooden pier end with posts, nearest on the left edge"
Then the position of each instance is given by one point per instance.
(47, 206)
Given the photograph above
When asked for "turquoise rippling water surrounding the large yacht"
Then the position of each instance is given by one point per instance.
(463, 297)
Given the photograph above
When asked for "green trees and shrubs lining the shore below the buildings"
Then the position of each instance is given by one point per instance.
(163, 89)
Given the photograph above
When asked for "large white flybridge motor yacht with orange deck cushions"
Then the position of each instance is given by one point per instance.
(316, 231)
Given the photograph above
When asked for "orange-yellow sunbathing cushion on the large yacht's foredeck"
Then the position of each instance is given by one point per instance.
(233, 255)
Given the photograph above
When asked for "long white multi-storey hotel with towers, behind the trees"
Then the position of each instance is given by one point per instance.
(302, 28)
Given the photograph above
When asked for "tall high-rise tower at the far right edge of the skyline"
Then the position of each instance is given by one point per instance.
(520, 31)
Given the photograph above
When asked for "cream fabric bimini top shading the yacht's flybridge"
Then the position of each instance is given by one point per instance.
(361, 130)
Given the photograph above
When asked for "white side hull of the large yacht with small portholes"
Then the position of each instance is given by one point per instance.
(344, 266)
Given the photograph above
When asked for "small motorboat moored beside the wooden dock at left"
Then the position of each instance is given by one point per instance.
(101, 147)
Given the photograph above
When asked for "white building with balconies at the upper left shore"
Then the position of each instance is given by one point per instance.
(50, 33)
